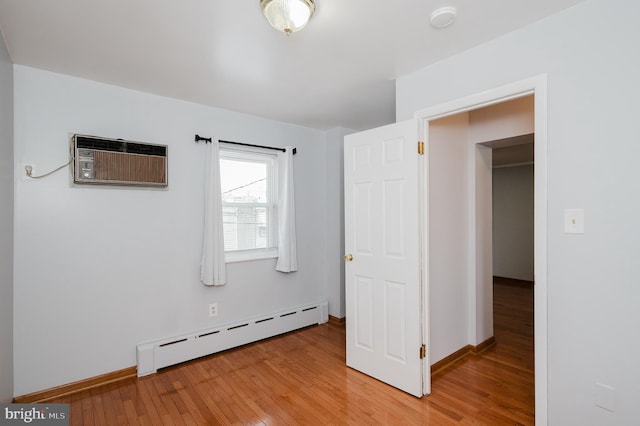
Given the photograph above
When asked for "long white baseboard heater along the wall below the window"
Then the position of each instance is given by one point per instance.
(153, 355)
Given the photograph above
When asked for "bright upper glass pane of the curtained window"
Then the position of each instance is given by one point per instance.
(243, 181)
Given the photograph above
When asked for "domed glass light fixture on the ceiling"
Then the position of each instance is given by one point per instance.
(288, 16)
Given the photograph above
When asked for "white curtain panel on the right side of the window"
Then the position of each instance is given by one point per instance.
(287, 258)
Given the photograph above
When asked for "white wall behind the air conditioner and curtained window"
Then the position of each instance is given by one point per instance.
(98, 269)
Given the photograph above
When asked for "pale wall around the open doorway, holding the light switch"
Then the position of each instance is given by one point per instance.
(590, 55)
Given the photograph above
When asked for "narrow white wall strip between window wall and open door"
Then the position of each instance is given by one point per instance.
(335, 220)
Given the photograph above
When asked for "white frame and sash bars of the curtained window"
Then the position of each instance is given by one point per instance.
(257, 155)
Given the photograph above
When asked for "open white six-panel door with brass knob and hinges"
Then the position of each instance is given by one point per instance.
(384, 298)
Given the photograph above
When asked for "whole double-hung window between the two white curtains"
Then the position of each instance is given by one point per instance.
(249, 204)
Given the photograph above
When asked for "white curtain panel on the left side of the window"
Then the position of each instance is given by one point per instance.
(212, 266)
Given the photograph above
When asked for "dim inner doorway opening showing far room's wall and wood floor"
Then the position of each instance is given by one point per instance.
(513, 259)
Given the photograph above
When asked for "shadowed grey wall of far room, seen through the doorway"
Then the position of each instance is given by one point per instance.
(513, 222)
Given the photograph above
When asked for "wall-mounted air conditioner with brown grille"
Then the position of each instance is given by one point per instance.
(118, 162)
